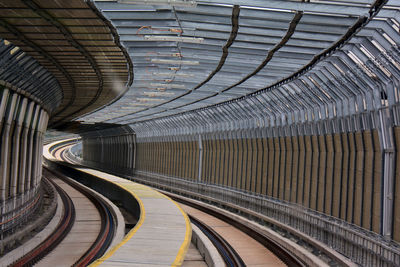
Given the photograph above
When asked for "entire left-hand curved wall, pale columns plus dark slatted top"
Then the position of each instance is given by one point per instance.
(28, 94)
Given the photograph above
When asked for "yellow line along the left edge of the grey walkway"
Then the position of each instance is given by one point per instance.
(131, 232)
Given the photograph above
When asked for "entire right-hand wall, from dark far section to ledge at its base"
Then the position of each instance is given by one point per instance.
(329, 186)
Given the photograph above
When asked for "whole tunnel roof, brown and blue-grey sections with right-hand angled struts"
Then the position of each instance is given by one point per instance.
(270, 61)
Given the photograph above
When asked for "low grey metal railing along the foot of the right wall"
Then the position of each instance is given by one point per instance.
(361, 246)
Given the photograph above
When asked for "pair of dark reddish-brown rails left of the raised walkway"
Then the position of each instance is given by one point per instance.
(102, 241)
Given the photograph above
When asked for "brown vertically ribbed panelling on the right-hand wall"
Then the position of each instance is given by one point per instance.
(337, 174)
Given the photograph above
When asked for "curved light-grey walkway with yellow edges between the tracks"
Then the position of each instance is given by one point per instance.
(162, 234)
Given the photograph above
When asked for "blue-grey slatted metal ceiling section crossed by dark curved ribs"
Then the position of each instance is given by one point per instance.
(190, 57)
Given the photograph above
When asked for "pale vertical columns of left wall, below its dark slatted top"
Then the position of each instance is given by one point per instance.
(22, 126)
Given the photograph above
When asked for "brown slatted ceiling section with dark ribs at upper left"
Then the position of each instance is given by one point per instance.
(74, 42)
